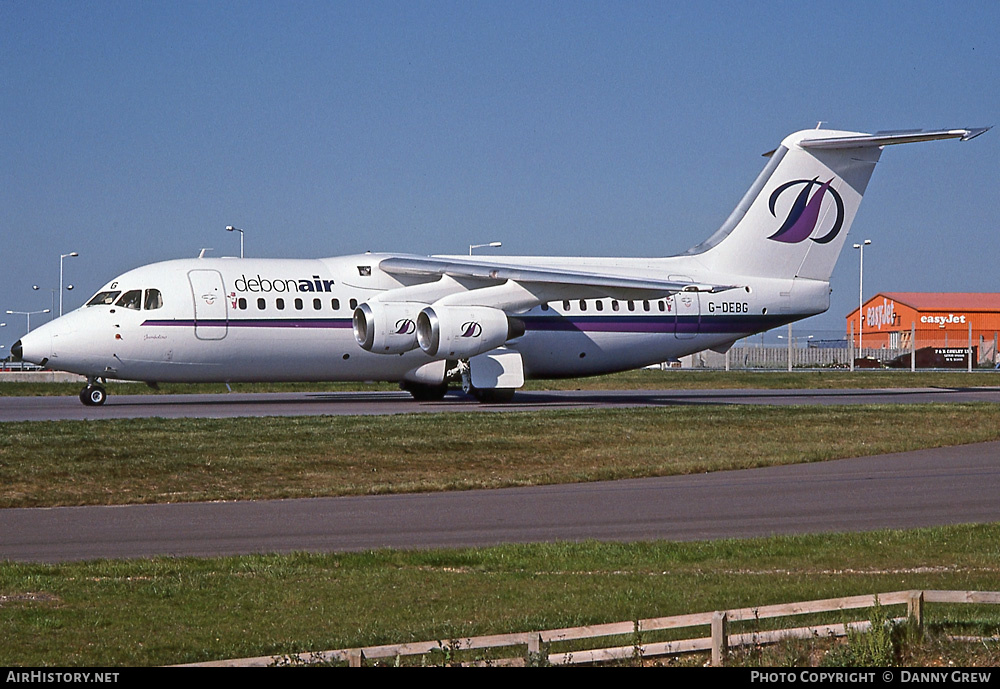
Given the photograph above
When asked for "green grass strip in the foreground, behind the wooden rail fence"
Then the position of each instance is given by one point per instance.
(162, 611)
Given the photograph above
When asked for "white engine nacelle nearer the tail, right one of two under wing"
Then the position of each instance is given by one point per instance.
(460, 332)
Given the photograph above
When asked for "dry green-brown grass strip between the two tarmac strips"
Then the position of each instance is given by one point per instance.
(158, 460)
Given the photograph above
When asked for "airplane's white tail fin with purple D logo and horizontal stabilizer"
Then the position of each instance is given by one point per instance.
(794, 220)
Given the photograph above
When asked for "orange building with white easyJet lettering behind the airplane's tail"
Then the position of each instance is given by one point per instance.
(935, 319)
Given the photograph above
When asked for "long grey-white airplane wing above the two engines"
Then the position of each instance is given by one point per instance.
(494, 272)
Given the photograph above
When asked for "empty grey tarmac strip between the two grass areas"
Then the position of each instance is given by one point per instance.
(900, 491)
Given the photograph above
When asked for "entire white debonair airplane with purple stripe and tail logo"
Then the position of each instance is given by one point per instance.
(430, 321)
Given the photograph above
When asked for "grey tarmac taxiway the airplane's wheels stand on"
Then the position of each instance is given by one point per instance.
(375, 403)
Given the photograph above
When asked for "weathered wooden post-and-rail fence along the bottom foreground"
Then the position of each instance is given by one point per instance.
(535, 647)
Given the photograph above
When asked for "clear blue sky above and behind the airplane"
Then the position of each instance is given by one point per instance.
(133, 132)
